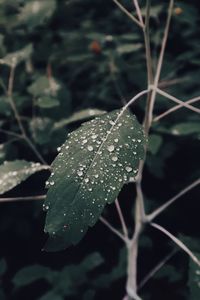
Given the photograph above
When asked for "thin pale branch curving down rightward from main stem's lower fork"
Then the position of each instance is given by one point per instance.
(177, 242)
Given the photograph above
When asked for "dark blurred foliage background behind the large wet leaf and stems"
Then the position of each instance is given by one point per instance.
(89, 55)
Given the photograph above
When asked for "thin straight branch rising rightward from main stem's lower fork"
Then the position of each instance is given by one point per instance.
(159, 210)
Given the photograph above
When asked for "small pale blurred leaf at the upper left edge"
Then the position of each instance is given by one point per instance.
(13, 59)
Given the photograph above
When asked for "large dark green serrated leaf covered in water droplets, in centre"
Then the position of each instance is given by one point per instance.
(89, 172)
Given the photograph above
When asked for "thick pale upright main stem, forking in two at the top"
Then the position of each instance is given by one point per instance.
(140, 217)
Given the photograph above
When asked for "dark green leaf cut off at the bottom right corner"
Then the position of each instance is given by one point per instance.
(194, 279)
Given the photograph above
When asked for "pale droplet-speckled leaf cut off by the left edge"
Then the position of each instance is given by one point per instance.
(13, 173)
